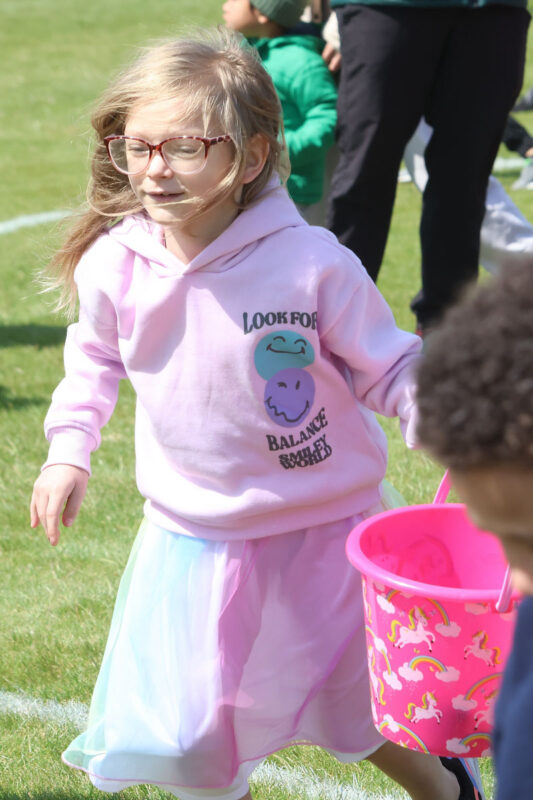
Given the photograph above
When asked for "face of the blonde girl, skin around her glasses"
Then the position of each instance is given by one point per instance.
(162, 192)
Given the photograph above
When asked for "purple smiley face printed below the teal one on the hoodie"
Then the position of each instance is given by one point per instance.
(289, 395)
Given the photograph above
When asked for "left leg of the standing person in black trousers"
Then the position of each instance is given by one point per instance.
(389, 56)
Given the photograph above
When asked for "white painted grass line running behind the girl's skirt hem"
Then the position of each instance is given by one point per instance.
(293, 781)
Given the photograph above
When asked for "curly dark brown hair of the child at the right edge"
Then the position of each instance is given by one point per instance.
(475, 381)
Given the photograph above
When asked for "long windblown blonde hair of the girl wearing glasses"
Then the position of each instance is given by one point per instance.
(217, 77)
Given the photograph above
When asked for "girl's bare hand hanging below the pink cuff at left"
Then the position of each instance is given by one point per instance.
(57, 492)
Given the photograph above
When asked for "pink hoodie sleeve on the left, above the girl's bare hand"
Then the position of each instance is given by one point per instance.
(85, 399)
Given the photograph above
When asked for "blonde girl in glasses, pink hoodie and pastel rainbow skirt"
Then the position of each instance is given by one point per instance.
(259, 351)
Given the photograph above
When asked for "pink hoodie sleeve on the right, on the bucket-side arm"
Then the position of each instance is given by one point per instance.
(357, 326)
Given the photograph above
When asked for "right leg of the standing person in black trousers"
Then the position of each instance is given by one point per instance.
(477, 83)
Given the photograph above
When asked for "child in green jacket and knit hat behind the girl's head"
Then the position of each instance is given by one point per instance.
(305, 87)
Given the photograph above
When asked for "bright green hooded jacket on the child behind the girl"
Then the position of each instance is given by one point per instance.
(308, 97)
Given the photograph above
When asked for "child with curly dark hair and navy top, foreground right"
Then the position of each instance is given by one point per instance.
(475, 400)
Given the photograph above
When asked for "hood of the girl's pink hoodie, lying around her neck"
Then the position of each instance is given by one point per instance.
(271, 212)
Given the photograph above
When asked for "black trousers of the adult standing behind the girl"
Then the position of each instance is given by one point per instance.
(460, 68)
